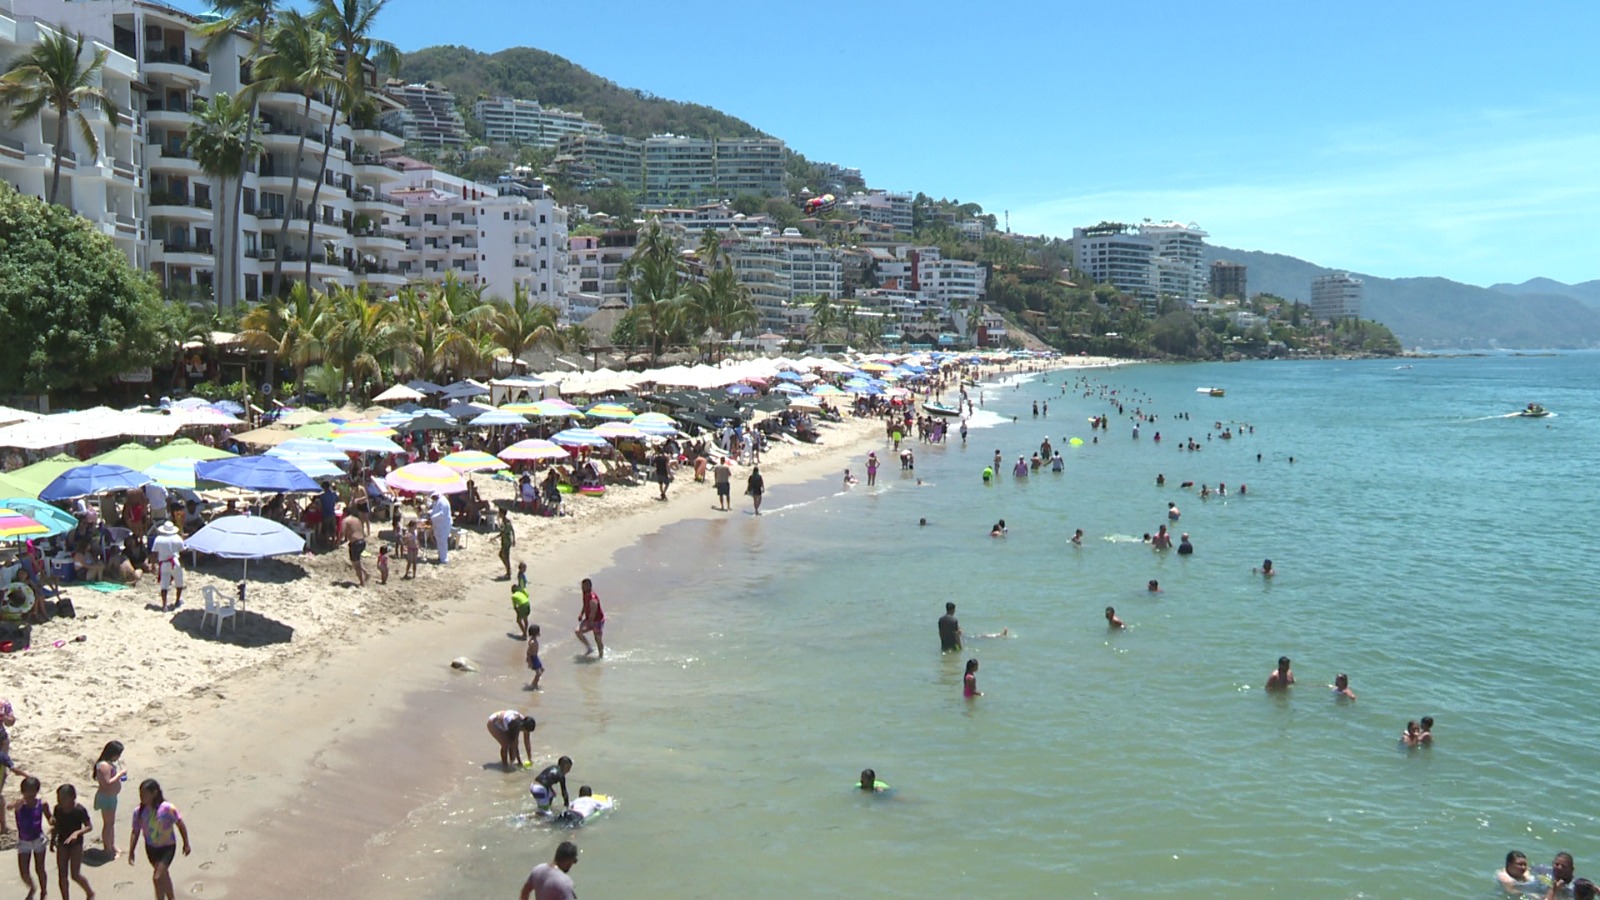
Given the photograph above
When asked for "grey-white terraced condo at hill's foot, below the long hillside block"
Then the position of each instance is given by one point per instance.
(783, 268)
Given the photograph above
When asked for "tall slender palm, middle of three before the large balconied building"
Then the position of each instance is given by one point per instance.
(300, 60)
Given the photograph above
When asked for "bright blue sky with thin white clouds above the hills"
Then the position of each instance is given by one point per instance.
(1399, 139)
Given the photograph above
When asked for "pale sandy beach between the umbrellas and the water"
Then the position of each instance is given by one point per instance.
(266, 739)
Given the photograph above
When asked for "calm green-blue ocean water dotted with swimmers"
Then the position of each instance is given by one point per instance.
(1426, 544)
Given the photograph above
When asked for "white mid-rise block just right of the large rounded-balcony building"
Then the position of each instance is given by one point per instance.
(492, 238)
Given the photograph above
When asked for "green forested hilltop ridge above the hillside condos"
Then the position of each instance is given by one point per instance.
(534, 74)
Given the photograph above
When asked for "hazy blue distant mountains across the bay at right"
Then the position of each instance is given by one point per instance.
(1441, 313)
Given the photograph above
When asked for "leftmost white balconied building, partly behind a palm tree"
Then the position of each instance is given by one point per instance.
(106, 188)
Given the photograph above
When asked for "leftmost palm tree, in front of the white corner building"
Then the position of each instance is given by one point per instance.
(54, 76)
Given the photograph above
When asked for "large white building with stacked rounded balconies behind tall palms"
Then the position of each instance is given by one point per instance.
(166, 212)
